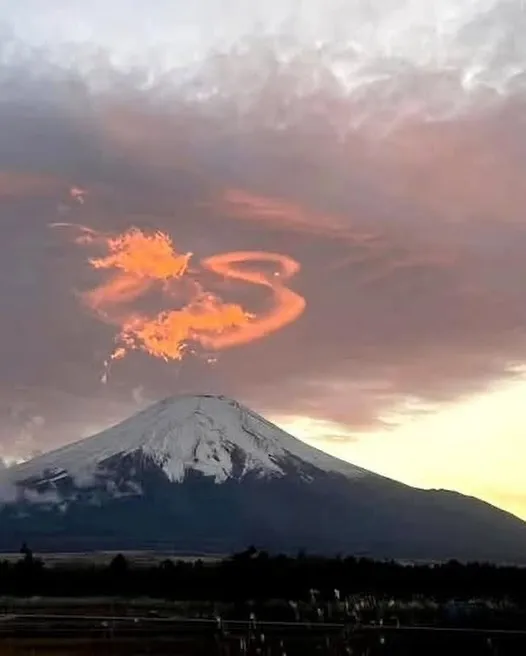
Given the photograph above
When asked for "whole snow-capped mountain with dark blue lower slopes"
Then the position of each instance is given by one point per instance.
(205, 474)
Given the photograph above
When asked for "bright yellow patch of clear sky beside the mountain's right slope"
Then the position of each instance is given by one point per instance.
(476, 446)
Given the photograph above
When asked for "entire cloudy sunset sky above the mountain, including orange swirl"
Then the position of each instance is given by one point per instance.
(316, 207)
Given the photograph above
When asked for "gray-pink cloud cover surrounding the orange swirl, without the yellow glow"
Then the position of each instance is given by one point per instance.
(402, 197)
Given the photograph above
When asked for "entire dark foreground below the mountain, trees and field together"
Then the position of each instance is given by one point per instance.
(252, 604)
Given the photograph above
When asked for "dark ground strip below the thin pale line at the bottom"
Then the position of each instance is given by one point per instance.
(82, 635)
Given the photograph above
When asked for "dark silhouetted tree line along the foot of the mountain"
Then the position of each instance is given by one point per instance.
(258, 575)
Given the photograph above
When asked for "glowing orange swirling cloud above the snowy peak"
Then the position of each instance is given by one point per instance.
(146, 262)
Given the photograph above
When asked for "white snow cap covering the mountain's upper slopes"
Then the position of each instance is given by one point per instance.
(202, 433)
